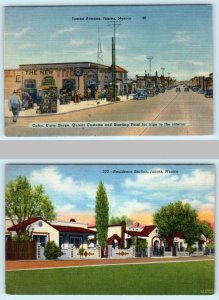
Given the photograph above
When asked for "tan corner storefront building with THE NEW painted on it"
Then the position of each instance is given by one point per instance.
(86, 77)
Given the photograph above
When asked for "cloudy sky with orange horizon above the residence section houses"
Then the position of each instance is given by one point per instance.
(136, 191)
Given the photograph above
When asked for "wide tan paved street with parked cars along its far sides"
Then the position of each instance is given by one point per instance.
(170, 106)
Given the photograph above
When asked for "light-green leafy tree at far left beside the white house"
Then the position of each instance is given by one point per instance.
(24, 201)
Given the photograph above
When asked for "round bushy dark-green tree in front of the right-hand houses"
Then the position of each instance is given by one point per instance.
(178, 217)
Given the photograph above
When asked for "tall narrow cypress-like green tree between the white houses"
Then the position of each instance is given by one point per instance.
(102, 215)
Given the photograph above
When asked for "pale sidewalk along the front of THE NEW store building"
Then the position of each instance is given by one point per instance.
(61, 109)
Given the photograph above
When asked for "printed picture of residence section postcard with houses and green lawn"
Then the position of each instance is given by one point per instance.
(110, 229)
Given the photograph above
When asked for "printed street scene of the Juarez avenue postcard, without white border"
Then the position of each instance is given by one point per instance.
(108, 70)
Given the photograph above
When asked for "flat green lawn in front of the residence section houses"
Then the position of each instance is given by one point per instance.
(186, 278)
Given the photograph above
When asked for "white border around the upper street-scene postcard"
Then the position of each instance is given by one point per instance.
(215, 4)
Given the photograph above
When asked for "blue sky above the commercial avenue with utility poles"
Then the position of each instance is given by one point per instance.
(179, 37)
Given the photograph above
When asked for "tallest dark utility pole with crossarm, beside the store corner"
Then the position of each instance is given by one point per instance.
(114, 25)
